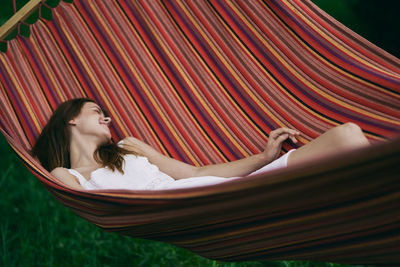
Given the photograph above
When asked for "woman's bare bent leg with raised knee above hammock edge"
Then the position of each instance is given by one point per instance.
(346, 137)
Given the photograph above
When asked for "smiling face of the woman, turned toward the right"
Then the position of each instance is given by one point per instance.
(91, 122)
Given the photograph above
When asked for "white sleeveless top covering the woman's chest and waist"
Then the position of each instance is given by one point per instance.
(140, 174)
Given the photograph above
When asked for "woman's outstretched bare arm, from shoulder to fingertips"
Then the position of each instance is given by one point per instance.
(242, 167)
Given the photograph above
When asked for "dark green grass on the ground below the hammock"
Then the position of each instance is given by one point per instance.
(36, 230)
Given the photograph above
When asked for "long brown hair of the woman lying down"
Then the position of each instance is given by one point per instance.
(53, 144)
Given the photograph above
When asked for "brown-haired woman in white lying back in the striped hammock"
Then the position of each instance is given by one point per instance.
(76, 147)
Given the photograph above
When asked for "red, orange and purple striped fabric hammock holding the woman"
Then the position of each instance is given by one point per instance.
(205, 82)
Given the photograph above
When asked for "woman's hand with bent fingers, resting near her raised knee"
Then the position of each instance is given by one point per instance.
(275, 140)
